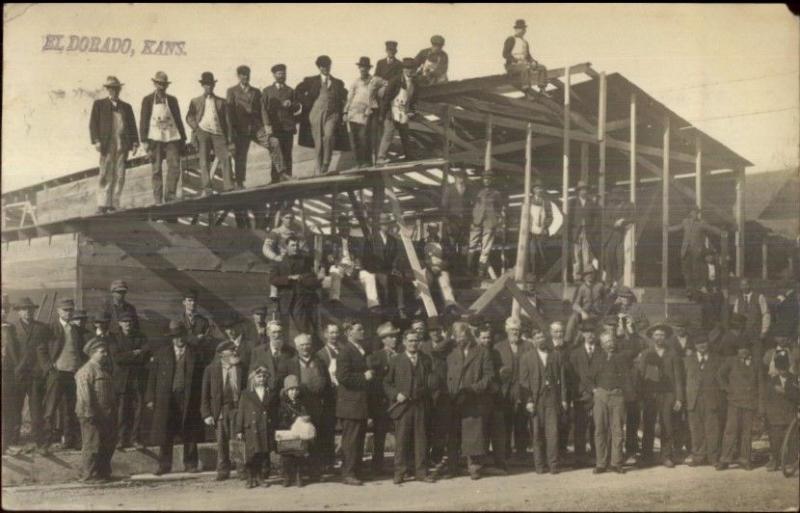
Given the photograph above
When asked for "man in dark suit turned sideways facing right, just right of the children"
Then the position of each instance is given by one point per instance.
(354, 379)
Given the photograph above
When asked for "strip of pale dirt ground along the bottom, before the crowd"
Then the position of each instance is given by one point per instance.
(653, 489)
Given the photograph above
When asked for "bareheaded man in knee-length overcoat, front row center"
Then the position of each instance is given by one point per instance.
(469, 374)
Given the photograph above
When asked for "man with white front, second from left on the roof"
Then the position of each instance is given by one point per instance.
(163, 137)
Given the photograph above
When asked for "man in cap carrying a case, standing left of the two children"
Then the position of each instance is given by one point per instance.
(223, 380)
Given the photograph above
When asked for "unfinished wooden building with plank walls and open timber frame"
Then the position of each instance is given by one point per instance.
(592, 126)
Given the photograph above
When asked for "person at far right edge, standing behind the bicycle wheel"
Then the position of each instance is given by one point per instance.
(779, 405)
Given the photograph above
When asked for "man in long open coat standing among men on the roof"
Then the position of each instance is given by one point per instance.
(321, 126)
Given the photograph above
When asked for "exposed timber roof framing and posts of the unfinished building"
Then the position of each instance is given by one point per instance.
(588, 126)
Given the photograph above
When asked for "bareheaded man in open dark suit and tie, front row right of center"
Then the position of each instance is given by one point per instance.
(543, 386)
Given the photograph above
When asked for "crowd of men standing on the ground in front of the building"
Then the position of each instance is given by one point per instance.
(460, 393)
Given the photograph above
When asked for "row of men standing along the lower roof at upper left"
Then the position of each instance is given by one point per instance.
(364, 119)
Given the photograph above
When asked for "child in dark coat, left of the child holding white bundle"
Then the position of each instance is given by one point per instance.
(252, 425)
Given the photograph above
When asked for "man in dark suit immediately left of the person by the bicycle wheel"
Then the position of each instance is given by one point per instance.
(740, 378)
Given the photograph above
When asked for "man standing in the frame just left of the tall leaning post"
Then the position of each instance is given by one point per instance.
(487, 214)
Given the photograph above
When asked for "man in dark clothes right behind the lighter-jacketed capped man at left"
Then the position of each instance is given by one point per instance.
(130, 353)
